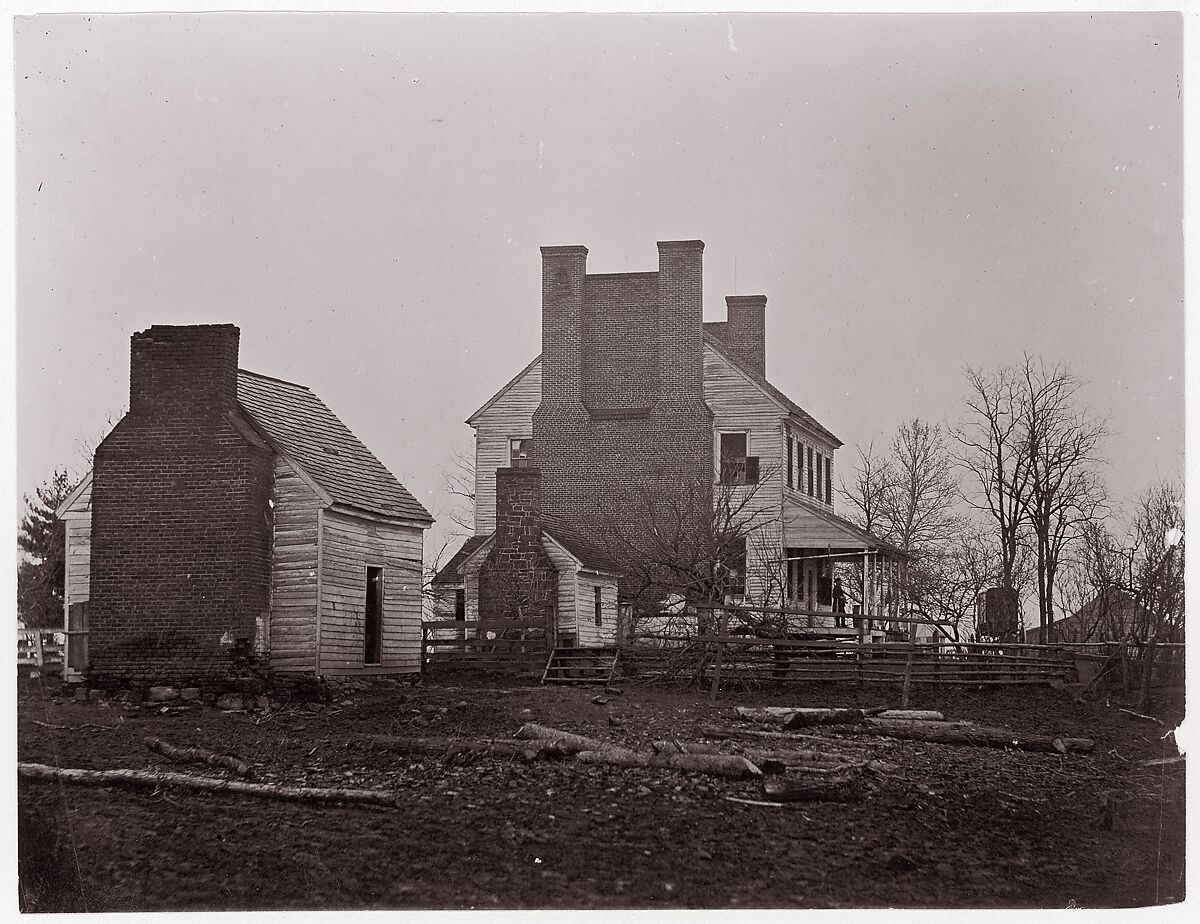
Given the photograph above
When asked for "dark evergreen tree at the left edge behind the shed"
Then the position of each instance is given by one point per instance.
(43, 542)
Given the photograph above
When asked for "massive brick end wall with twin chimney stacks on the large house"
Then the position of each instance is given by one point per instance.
(603, 448)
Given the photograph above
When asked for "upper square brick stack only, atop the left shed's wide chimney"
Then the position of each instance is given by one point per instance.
(184, 370)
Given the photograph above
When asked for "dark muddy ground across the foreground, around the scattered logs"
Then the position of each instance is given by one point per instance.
(955, 827)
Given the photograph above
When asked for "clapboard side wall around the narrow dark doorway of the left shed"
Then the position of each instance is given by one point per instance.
(349, 547)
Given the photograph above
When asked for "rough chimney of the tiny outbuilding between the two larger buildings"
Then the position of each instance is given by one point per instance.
(518, 580)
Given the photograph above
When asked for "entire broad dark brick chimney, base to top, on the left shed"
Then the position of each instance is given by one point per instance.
(182, 527)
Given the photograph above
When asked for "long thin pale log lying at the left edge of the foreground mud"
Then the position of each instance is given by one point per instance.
(158, 779)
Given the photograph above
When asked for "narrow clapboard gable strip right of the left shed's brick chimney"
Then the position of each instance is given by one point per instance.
(292, 634)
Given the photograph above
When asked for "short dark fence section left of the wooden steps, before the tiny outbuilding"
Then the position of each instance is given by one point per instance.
(509, 646)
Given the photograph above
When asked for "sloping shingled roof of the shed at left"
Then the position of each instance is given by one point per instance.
(299, 425)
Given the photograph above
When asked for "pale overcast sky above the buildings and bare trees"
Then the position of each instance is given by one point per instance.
(365, 197)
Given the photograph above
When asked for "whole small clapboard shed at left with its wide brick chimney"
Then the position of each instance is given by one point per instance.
(242, 515)
